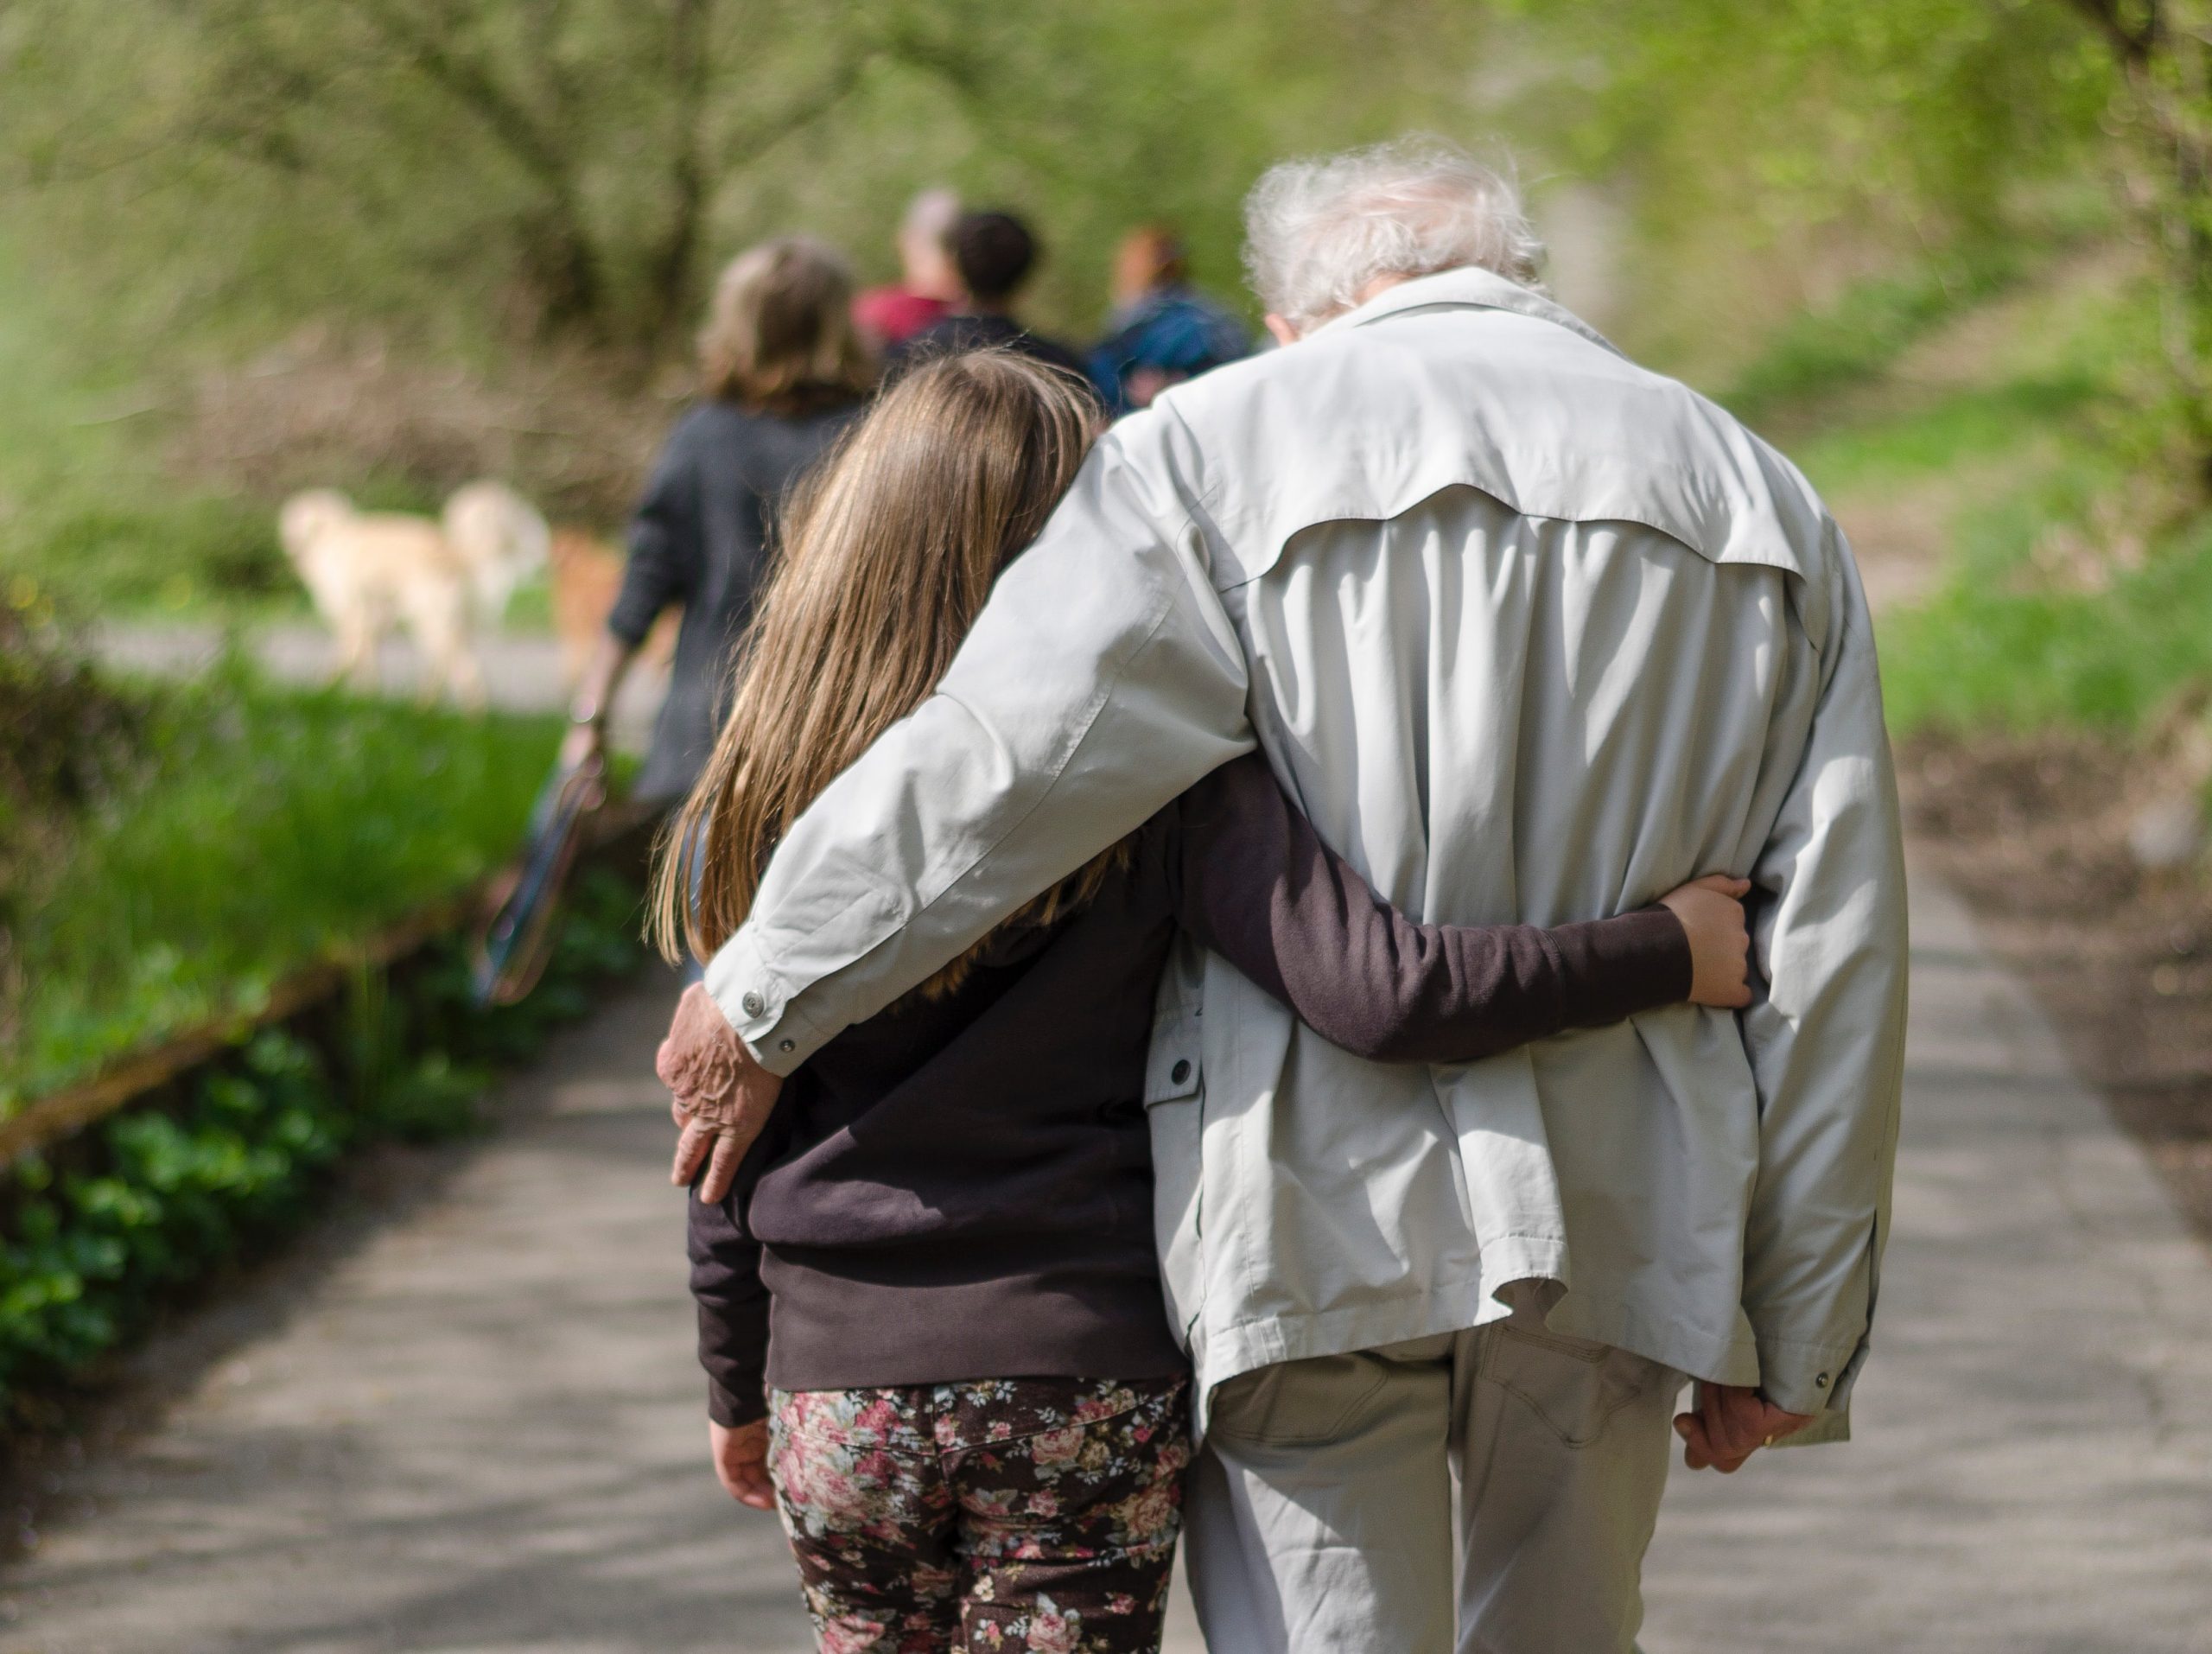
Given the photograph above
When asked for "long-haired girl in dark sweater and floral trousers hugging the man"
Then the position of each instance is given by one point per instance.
(930, 1310)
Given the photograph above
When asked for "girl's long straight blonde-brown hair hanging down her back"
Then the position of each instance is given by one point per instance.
(888, 558)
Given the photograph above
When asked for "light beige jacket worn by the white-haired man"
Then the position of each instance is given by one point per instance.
(1534, 636)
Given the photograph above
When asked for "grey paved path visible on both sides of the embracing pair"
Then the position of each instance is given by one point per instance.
(477, 1427)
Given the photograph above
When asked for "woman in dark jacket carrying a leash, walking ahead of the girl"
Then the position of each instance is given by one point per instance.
(782, 375)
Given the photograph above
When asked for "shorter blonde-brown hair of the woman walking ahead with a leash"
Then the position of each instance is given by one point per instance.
(780, 335)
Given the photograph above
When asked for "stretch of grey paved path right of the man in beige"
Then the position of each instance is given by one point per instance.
(2034, 1461)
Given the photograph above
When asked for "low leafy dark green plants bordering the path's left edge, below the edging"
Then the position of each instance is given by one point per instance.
(165, 1195)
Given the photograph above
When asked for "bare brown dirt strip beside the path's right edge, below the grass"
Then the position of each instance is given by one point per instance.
(2032, 830)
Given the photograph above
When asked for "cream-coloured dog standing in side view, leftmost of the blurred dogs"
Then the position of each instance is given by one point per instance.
(373, 569)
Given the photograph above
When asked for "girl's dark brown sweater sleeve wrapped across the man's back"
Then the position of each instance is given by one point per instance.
(1260, 888)
